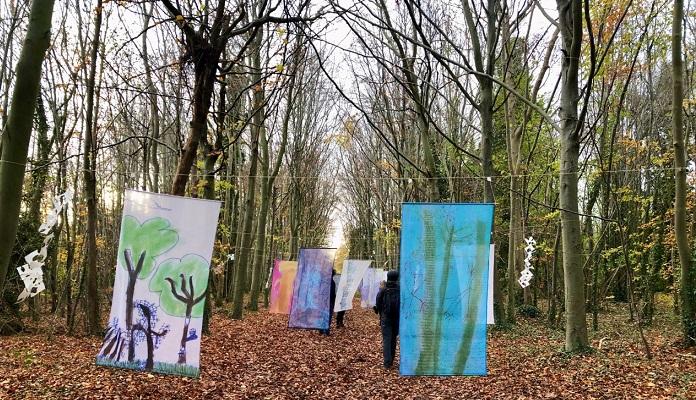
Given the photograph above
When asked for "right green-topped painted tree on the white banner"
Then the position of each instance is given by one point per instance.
(182, 284)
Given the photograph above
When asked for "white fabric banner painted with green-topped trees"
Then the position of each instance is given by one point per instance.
(161, 282)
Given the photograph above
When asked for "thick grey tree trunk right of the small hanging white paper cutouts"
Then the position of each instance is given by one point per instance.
(570, 22)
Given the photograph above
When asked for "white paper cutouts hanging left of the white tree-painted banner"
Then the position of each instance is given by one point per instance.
(31, 272)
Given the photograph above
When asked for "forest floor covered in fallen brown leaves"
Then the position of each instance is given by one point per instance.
(260, 357)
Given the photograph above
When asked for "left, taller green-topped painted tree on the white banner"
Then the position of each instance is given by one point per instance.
(144, 243)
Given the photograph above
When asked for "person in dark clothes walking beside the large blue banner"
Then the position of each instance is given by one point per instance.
(387, 306)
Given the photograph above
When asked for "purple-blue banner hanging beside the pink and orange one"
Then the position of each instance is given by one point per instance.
(312, 289)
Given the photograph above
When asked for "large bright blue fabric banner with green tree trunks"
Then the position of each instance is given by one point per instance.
(444, 288)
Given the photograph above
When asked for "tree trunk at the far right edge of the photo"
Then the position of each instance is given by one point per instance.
(688, 276)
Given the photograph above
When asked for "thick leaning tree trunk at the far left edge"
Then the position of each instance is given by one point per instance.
(15, 138)
